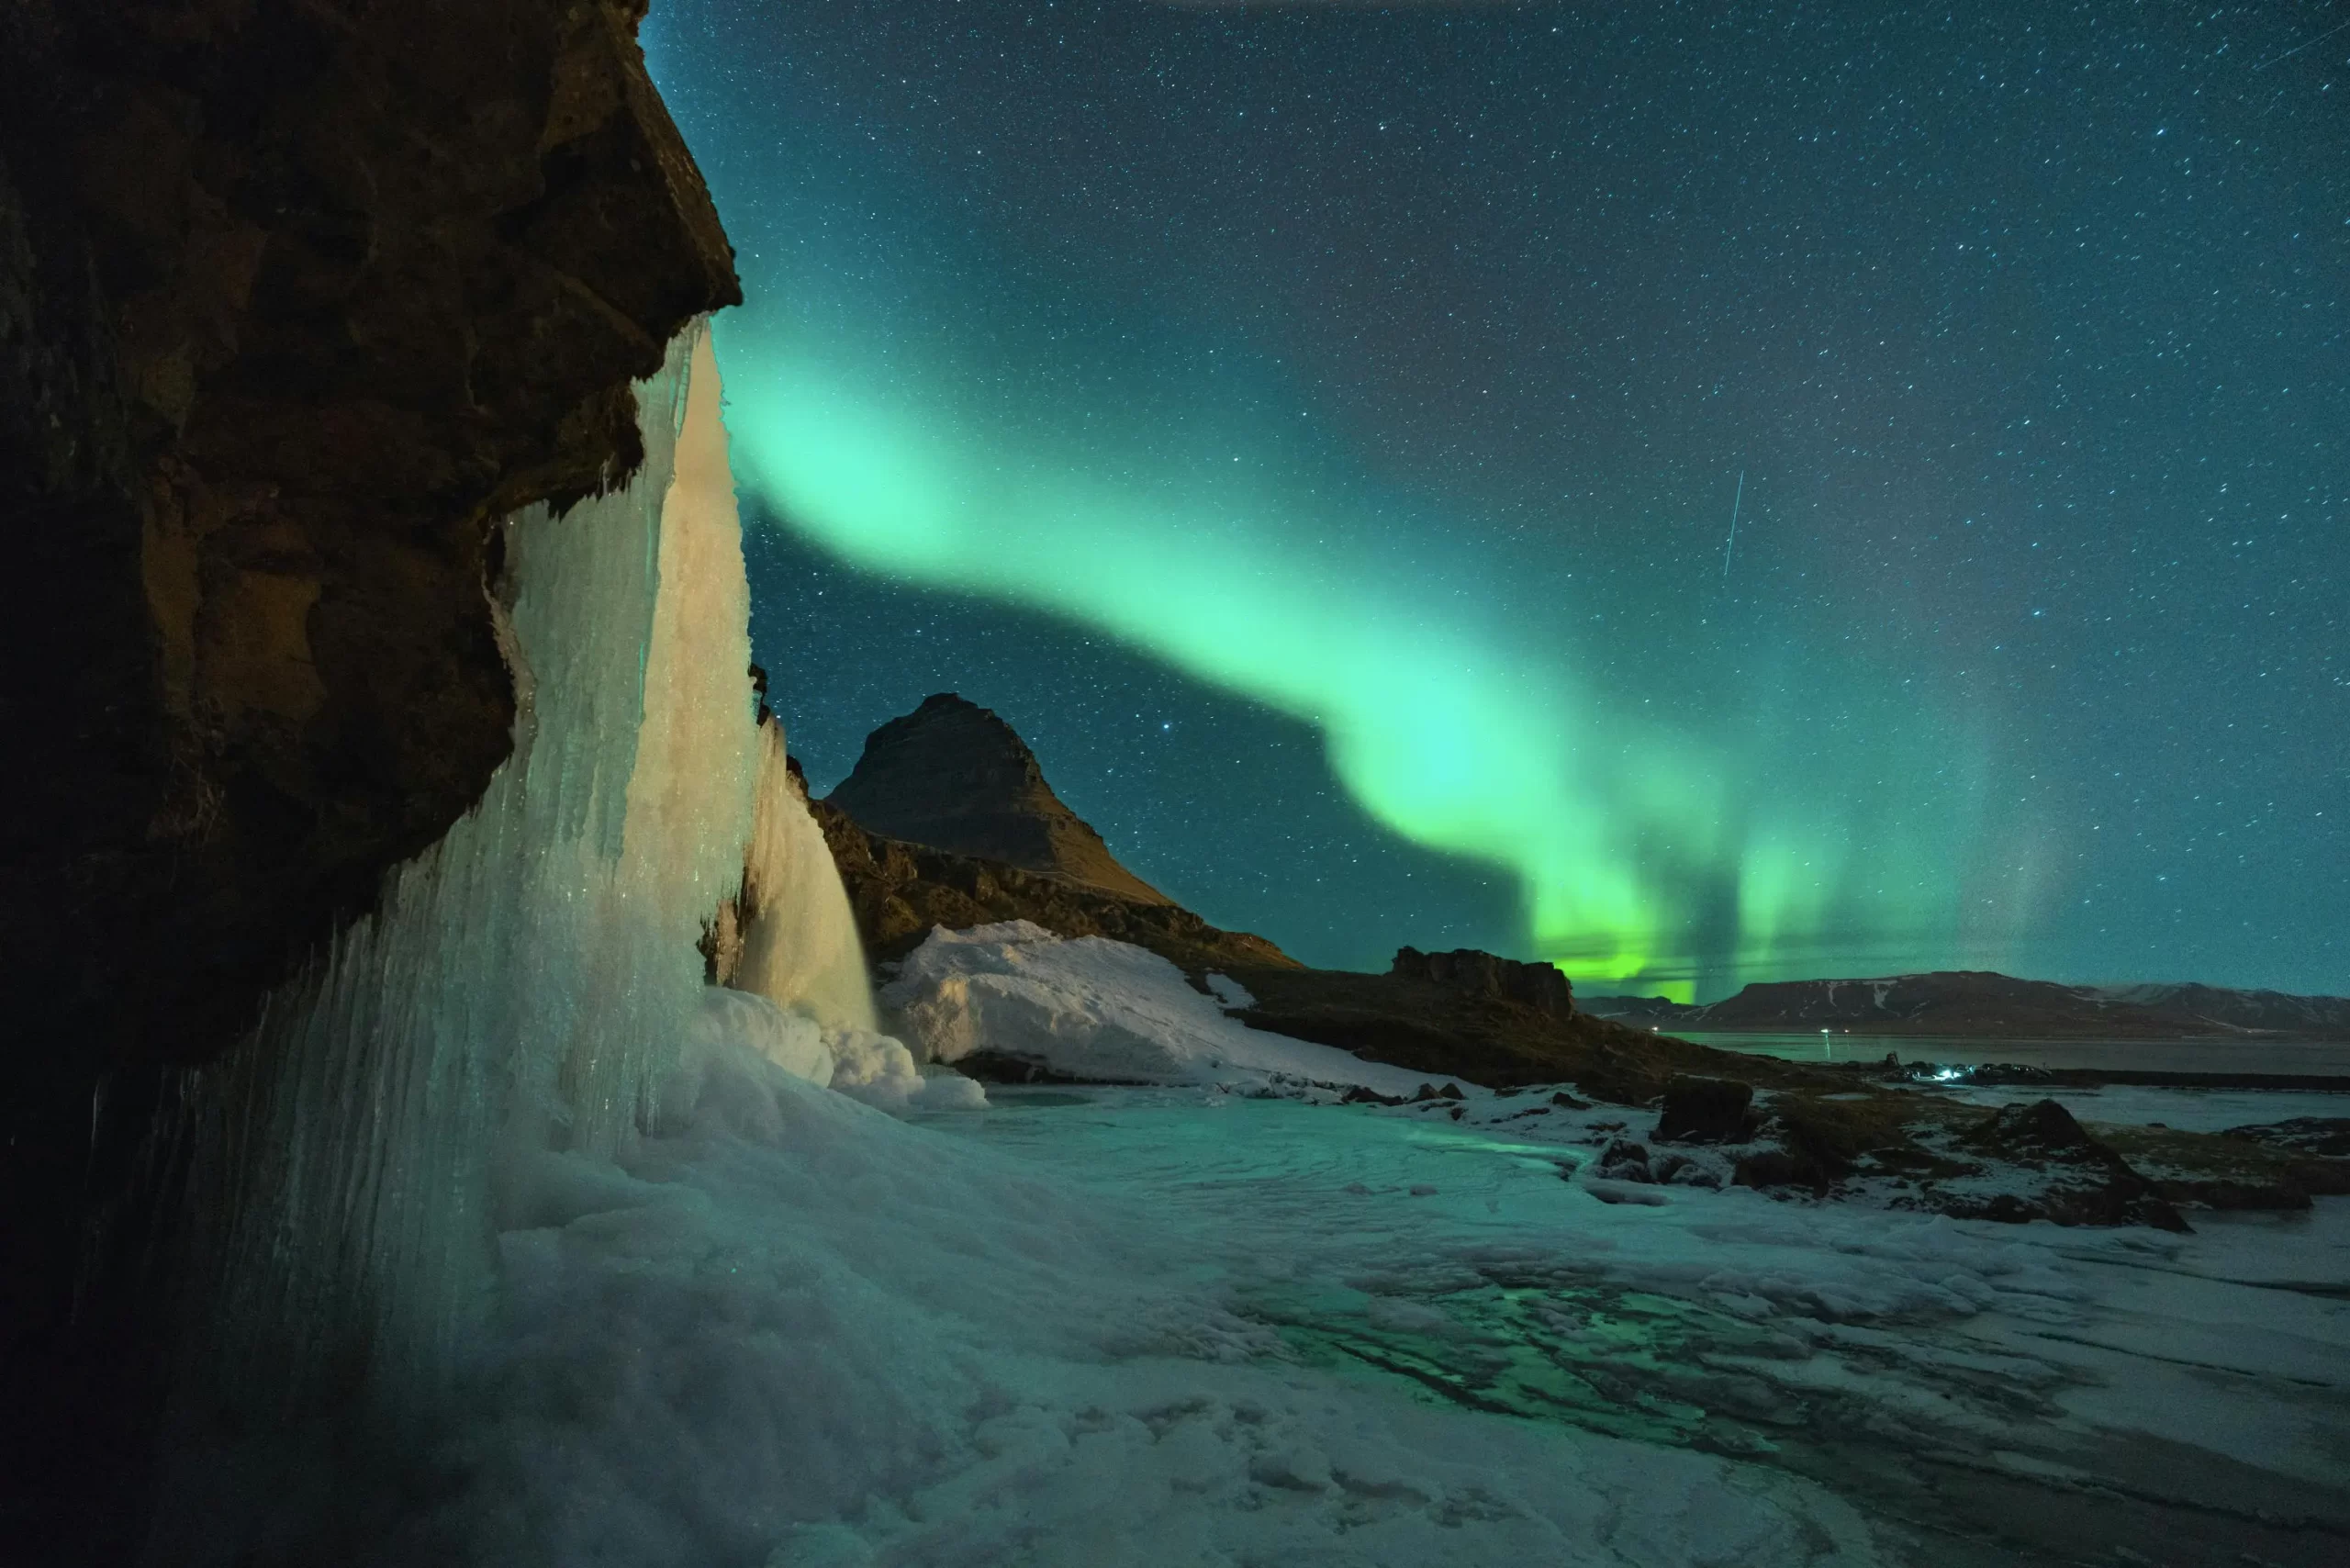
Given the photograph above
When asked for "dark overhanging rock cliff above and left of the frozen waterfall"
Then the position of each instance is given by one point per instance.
(297, 297)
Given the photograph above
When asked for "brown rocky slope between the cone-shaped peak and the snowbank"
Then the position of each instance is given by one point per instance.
(899, 892)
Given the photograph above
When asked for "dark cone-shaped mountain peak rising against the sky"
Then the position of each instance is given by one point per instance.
(955, 777)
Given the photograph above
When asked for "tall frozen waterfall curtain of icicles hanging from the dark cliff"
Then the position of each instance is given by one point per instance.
(525, 981)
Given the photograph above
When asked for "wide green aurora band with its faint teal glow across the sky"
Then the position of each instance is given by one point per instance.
(1688, 789)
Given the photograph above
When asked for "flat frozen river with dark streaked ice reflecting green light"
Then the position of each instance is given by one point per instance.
(1978, 1393)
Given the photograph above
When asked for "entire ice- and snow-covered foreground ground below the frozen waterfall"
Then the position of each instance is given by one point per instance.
(1197, 1327)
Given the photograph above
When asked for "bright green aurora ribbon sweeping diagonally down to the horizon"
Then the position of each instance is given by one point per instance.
(1195, 528)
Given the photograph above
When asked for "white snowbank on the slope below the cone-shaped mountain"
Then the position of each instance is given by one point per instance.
(1101, 1012)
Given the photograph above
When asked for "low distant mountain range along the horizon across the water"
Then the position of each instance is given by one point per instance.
(1982, 1003)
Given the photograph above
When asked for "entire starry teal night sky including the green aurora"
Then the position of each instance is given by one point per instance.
(1320, 429)
